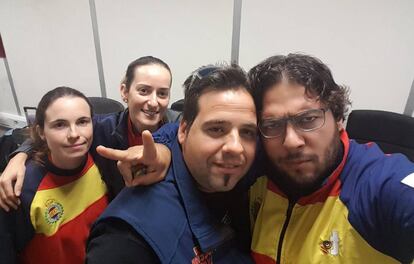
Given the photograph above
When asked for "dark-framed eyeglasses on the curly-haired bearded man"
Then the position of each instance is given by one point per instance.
(306, 121)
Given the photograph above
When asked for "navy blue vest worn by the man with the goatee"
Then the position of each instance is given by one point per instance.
(173, 219)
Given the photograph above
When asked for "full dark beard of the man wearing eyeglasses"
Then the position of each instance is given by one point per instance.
(296, 185)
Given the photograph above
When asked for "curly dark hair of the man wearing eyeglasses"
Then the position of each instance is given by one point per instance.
(303, 70)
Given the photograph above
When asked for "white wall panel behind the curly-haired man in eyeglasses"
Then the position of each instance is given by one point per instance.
(367, 44)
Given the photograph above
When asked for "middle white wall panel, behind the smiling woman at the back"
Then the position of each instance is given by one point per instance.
(185, 34)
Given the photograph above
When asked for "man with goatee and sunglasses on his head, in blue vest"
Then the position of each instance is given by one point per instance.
(187, 217)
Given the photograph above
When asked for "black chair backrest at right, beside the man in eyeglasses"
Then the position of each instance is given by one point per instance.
(394, 133)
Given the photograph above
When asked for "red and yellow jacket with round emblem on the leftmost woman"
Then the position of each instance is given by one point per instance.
(58, 209)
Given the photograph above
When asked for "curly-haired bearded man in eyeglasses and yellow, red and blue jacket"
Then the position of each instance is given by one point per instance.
(324, 198)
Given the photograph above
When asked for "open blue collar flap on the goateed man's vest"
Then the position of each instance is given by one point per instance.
(207, 230)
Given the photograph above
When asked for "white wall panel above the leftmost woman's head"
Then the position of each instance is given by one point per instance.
(48, 43)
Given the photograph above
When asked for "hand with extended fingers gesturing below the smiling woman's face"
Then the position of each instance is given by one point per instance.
(140, 165)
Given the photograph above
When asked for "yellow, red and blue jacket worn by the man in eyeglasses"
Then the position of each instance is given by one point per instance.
(364, 213)
